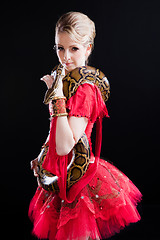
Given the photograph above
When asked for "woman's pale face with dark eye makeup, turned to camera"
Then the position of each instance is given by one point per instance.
(70, 53)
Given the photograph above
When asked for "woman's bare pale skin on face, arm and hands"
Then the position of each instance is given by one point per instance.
(69, 129)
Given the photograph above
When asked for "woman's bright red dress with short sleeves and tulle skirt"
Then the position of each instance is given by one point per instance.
(101, 203)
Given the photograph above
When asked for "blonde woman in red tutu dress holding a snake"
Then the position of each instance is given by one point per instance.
(104, 200)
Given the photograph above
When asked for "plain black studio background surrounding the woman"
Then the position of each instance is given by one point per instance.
(127, 51)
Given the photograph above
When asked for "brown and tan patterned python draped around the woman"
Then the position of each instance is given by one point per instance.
(81, 151)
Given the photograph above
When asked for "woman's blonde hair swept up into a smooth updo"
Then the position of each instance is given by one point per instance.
(79, 26)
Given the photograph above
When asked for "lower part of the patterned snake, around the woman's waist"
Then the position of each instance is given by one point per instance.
(75, 170)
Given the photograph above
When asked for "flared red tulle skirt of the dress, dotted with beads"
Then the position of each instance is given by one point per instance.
(105, 206)
